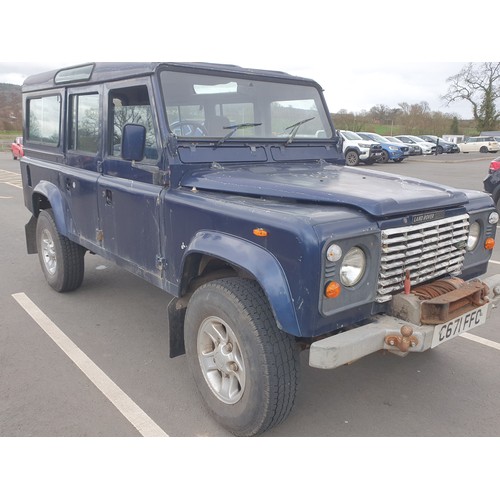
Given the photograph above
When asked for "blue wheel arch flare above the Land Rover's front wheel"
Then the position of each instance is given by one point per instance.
(258, 262)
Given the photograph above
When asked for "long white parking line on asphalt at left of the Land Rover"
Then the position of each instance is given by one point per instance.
(133, 413)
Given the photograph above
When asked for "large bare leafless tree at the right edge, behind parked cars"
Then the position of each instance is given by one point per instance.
(479, 84)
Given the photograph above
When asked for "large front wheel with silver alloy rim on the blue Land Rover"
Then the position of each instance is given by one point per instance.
(245, 368)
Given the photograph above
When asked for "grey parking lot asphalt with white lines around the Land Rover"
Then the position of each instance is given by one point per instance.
(94, 362)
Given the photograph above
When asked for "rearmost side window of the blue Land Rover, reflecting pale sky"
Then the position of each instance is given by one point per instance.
(43, 120)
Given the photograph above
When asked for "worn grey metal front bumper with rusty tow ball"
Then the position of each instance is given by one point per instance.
(385, 332)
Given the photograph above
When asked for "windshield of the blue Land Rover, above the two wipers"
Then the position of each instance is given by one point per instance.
(235, 107)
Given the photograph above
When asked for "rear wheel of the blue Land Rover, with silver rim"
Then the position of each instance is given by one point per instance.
(61, 259)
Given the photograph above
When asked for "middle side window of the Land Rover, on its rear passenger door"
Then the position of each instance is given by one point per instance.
(84, 123)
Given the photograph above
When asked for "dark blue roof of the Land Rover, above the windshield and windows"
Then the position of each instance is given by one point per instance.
(109, 71)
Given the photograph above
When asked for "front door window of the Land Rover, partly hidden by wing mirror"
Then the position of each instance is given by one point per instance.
(131, 105)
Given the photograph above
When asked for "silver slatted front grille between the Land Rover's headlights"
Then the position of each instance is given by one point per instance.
(428, 251)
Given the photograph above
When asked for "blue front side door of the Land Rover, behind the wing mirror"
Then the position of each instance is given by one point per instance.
(128, 192)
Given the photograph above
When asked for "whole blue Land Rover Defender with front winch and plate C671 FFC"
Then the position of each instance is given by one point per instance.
(227, 188)
